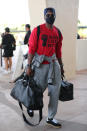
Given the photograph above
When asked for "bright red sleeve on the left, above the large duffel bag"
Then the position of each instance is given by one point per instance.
(33, 42)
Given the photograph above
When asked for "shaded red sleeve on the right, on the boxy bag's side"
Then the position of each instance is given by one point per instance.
(59, 48)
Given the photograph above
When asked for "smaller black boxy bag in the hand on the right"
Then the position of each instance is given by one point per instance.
(66, 91)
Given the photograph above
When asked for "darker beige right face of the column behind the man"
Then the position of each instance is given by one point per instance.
(66, 21)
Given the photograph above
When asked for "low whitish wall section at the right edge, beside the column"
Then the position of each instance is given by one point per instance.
(81, 55)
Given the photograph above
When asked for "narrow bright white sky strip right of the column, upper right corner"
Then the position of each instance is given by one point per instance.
(82, 16)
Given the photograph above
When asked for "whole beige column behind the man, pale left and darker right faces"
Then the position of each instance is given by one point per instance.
(66, 21)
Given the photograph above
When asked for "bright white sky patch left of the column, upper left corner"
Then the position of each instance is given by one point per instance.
(14, 12)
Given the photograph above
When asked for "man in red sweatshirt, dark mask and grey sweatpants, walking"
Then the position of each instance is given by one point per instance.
(45, 59)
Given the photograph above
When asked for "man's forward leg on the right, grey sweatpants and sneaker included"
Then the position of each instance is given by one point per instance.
(53, 92)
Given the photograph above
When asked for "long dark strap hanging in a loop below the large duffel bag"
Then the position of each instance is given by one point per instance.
(25, 119)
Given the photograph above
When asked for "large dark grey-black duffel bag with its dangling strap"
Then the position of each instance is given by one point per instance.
(30, 95)
